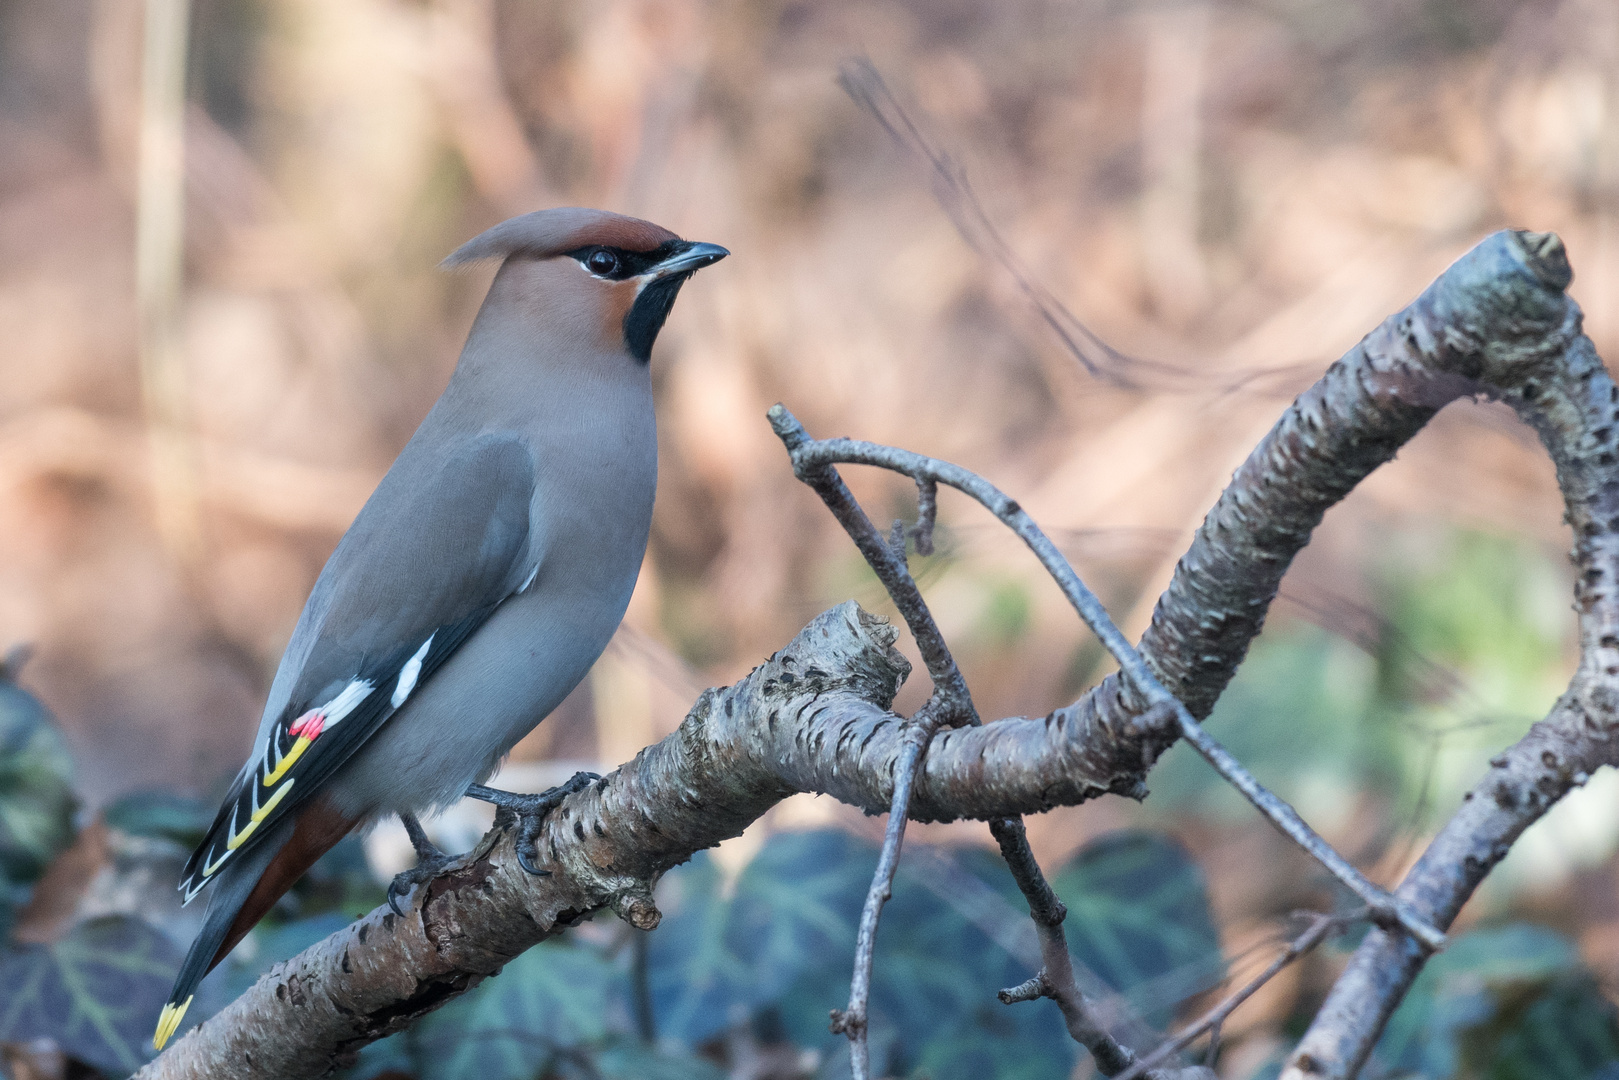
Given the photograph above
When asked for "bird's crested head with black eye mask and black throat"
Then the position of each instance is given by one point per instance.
(592, 273)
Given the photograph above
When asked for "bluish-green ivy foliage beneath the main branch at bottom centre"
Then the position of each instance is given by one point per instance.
(770, 955)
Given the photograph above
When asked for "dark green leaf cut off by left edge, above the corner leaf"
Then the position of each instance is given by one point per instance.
(36, 793)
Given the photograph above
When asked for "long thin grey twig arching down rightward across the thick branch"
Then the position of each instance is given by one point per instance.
(814, 457)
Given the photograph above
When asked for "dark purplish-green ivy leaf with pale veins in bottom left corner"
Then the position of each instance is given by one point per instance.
(96, 993)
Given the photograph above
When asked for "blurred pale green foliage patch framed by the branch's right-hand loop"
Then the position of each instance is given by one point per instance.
(1404, 705)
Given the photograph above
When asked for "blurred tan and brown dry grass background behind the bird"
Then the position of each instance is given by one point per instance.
(1223, 185)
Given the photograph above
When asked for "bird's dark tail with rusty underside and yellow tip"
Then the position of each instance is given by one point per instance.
(244, 891)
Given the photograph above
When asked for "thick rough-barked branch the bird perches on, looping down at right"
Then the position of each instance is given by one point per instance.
(817, 716)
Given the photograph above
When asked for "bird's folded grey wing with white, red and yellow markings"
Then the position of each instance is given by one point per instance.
(440, 545)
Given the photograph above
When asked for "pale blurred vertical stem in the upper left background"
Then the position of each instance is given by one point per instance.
(159, 266)
